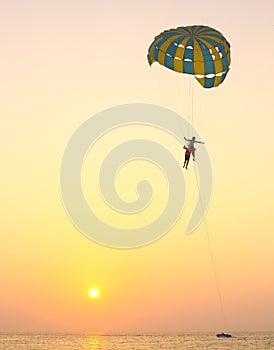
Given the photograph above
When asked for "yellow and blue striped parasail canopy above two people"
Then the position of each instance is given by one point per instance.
(198, 50)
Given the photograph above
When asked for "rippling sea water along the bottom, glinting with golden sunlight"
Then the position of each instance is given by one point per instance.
(196, 341)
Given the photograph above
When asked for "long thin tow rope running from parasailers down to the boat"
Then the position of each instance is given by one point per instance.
(210, 251)
